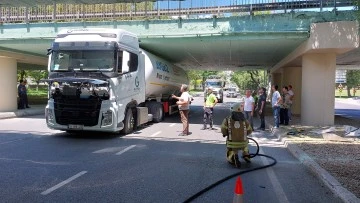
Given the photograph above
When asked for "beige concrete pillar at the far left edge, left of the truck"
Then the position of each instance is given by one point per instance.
(8, 87)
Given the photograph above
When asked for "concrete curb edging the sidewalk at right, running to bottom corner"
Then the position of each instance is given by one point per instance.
(317, 170)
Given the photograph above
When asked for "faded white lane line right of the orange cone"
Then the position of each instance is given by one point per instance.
(279, 191)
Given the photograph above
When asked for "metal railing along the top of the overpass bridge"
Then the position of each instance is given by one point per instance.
(162, 9)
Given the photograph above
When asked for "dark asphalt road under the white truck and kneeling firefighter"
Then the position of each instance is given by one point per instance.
(151, 165)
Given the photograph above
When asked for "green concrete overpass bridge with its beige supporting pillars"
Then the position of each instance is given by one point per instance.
(298, 48)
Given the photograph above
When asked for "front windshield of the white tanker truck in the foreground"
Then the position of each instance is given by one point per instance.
(83, 60)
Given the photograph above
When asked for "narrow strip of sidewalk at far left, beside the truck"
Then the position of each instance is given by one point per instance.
(34, 110)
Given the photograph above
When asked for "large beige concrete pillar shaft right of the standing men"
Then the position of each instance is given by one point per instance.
(318, 89)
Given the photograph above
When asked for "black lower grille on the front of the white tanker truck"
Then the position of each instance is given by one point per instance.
(77, 111)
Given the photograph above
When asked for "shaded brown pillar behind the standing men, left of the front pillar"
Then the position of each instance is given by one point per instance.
(292, 76)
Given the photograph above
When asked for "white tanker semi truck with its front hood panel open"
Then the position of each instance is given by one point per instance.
(100, 80)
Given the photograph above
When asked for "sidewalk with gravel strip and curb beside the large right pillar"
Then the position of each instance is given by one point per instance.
(326, 152)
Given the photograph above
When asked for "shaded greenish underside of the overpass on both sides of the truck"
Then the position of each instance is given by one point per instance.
(232, 52)
